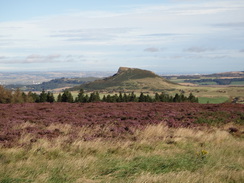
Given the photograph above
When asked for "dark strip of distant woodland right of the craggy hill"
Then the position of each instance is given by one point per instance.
(218, 81)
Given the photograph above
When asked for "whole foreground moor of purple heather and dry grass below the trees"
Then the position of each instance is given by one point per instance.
(121, 142)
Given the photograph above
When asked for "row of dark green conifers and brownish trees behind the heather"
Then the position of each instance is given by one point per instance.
(17, 96)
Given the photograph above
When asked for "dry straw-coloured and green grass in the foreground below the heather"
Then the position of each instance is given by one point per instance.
(159, 154)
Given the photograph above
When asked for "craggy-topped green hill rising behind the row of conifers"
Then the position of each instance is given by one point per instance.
(129, 79)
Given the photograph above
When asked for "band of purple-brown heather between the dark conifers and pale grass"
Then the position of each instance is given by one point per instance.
(108, 120)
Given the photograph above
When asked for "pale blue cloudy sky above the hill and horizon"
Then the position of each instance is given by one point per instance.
(164, 36)
